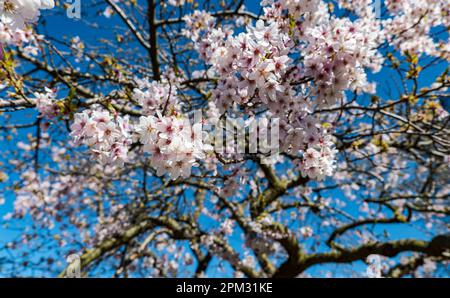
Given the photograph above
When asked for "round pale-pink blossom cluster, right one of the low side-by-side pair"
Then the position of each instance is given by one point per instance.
(174, 145)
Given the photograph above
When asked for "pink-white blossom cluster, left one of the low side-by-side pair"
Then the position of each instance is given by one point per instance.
(108, 136)
